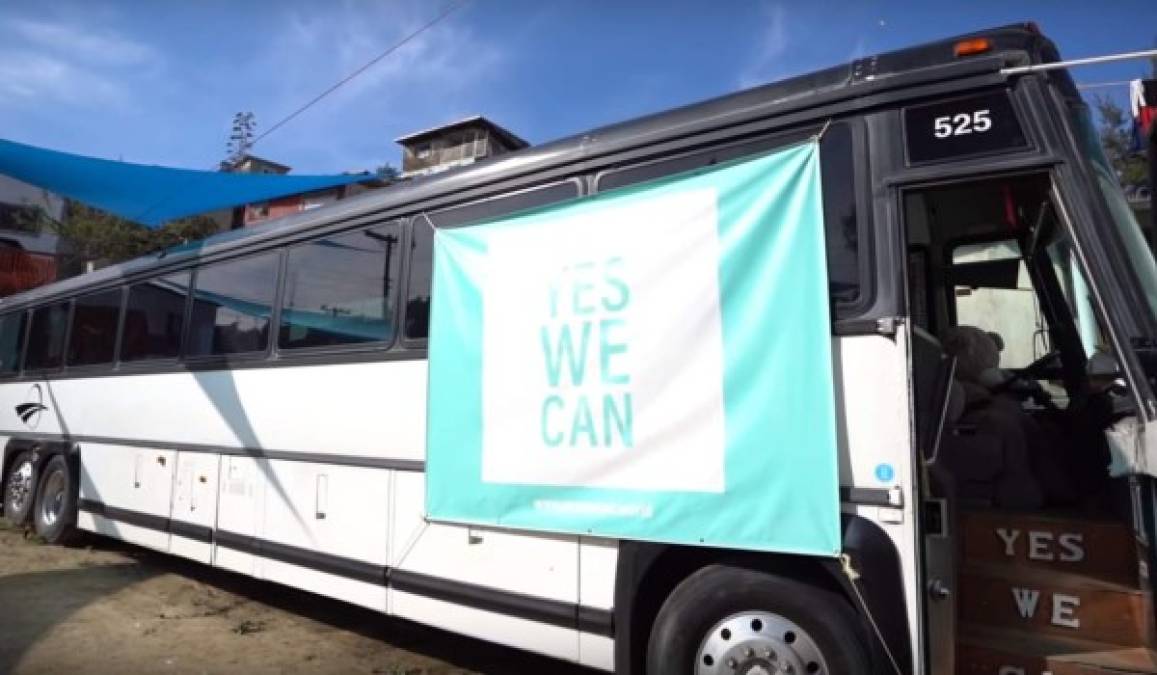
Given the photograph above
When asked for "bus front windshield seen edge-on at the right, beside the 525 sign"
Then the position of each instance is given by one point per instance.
(1141, 259)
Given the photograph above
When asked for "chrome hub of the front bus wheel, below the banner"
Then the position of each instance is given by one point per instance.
(758, 643)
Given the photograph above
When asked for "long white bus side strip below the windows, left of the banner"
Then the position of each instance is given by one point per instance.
(374, 410)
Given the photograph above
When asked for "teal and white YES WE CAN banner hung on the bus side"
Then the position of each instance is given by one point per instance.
(653, 363)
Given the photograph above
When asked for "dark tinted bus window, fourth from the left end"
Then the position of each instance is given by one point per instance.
(154, 319)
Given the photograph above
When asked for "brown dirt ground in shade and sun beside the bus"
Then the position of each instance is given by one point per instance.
(108, 607)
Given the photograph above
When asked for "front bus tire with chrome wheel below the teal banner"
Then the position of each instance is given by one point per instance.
(726, 620)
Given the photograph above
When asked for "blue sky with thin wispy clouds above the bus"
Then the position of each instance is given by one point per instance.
(158, 83)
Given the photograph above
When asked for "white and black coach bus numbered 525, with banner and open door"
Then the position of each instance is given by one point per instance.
(968, 487)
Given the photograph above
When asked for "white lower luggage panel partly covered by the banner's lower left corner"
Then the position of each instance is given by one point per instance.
(485, 568)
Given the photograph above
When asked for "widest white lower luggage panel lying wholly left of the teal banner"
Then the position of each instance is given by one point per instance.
(335, 523)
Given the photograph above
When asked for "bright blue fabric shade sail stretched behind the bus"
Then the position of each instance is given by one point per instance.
(151, 195)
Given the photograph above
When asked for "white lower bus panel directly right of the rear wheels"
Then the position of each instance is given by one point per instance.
(132, 488)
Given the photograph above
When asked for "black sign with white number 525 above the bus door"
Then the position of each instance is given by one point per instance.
(963, 128)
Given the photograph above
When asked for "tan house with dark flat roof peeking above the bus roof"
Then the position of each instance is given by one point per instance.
(455, 145)
